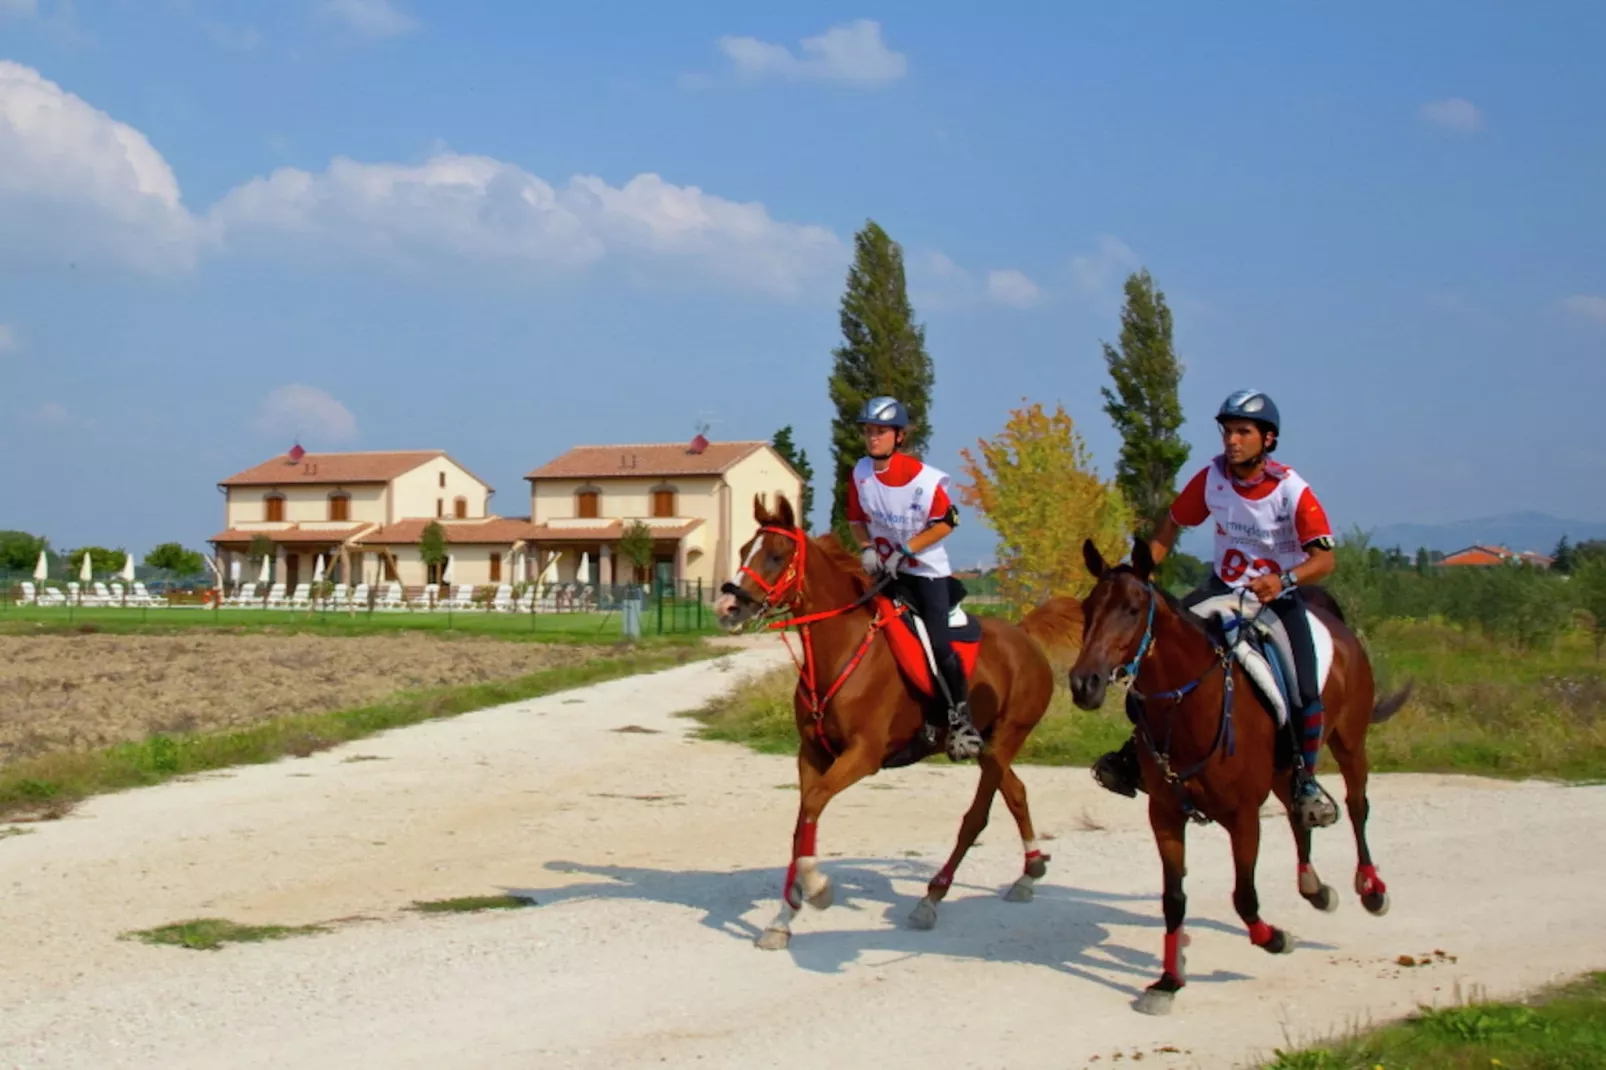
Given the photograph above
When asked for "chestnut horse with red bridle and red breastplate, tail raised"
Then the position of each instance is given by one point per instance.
(863, 692)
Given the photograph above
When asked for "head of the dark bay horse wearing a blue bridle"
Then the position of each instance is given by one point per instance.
(1119, 623)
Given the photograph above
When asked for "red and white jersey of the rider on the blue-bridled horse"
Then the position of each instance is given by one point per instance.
(1260, 529)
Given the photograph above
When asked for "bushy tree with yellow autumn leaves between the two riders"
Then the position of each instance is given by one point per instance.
(1037, 488)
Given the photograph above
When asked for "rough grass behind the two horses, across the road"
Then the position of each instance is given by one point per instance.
(1477, 709)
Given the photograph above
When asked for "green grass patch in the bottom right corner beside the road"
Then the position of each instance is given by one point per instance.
(1562, 1029)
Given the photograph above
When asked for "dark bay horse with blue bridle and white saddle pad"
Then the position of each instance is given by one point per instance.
(1209, 743)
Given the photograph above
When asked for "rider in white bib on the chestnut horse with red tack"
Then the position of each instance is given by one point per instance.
(900, 510)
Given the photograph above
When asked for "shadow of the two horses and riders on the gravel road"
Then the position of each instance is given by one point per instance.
(1064, 929)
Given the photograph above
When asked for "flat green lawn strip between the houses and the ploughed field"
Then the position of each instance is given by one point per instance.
(540, 627)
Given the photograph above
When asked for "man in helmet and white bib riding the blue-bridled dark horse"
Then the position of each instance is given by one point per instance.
(1273, 537)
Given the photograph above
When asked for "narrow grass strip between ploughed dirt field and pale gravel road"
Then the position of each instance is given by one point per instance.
(49, 785)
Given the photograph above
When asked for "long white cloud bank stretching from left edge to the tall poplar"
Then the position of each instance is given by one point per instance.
(79, 186)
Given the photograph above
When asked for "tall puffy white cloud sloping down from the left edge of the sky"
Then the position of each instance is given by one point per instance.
(78, 184)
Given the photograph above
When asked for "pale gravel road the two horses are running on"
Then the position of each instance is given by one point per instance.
(656, 860)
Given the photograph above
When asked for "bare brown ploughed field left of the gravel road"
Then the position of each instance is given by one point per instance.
(94, 690)
